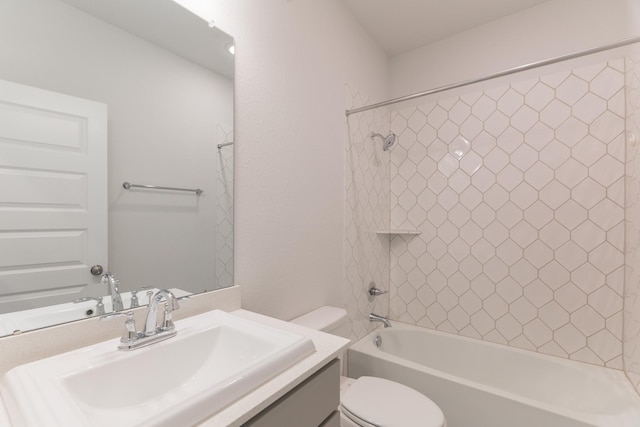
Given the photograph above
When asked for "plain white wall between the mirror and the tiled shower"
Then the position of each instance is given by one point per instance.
(293, 59)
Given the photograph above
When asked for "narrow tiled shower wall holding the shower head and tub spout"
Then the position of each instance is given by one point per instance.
(366, 254)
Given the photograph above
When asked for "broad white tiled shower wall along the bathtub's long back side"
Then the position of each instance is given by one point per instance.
(518, 190)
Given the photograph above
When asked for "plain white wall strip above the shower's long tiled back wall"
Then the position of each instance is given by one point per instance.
(552, 29)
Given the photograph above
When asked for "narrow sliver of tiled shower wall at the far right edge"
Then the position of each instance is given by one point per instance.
(632, 222)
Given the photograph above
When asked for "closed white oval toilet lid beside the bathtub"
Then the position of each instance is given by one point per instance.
(386, 403)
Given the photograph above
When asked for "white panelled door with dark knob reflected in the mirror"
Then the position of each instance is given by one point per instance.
(53, 196)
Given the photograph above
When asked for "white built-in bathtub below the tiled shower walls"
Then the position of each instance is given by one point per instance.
(480, 384)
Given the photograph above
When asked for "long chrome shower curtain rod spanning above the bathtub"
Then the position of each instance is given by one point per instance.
(507, 72)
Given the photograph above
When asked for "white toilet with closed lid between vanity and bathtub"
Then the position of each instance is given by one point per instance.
(372, 401)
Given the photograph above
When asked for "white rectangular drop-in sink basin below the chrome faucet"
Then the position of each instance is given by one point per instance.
(215, 359)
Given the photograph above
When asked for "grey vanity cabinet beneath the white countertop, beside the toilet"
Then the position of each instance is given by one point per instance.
(313, 403)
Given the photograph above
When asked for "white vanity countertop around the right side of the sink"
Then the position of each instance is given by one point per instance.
(328, 347)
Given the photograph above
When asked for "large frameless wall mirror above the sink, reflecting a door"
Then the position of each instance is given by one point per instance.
(94, 94)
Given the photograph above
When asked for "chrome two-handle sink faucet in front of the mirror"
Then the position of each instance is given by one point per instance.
(152, 333)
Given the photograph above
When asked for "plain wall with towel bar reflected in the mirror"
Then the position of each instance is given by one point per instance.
(163, 112)
